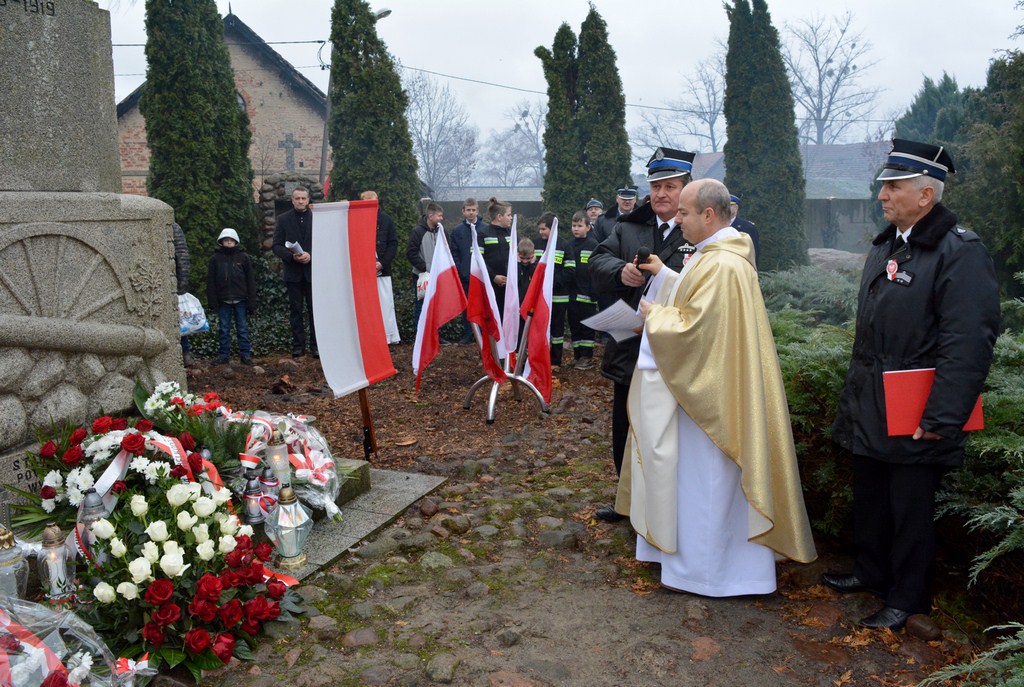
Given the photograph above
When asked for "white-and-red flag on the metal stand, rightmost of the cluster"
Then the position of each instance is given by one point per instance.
(538, 300)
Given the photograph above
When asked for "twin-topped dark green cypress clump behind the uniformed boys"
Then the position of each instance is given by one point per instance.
(587, 149)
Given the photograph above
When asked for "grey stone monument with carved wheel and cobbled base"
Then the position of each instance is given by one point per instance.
(88, 288)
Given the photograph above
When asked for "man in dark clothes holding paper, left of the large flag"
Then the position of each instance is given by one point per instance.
(295, 229)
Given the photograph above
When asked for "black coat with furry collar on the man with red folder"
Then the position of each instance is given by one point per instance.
(943, 312)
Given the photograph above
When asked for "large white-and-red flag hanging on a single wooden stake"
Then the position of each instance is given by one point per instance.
(348, 312)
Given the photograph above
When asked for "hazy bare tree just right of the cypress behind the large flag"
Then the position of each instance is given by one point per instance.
(444, 142)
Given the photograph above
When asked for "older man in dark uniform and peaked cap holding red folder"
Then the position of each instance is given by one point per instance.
(928, 300)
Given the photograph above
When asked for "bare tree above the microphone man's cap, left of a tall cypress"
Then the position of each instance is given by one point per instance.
(696, 121)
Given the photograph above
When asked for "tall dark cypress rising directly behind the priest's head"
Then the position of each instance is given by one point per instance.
(762, 153)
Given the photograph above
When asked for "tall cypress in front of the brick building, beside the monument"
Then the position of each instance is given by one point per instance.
(196, 128)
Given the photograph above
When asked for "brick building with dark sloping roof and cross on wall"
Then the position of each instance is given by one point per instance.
(286, 114)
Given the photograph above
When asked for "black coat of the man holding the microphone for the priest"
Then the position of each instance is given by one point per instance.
(607, 264)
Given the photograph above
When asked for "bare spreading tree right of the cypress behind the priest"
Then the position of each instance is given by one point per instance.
(826, 59)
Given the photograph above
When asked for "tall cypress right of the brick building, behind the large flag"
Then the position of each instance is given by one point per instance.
(369, 133)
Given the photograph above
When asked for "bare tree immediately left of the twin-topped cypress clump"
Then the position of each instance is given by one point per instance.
(515, 157)
